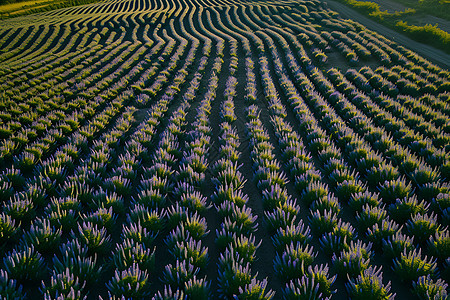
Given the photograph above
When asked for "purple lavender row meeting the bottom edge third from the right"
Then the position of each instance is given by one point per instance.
(290, 238)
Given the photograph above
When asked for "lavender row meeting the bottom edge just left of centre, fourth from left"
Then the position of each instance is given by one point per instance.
(187, 223)
